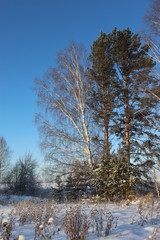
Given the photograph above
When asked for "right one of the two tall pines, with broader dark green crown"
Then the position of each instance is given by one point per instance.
(134, 68)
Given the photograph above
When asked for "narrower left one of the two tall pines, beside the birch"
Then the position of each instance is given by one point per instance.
(102, 75)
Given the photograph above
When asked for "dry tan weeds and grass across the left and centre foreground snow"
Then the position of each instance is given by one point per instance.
(49, 218)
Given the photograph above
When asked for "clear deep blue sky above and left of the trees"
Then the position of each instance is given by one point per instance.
(31, 34)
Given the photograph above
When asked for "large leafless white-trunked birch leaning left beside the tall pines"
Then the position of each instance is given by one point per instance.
(66, 125)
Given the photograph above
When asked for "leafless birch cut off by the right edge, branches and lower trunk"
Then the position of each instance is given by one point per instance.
(152, 20)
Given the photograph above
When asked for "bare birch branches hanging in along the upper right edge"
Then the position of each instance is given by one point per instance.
(152, 23)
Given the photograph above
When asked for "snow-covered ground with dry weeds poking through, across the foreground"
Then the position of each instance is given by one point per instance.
(134, 220)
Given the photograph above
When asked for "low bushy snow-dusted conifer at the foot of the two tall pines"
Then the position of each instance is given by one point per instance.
(112, 179)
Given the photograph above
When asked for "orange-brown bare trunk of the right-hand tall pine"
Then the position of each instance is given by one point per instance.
(127, 125)
